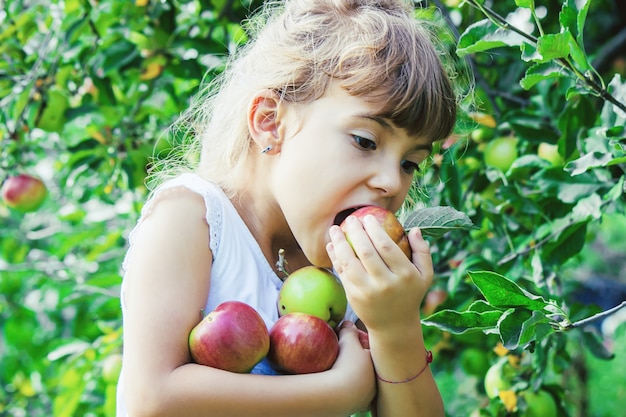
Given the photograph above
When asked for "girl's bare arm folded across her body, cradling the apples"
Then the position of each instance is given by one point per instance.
(168, 285)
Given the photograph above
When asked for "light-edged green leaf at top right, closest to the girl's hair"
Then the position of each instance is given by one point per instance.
(485, 35)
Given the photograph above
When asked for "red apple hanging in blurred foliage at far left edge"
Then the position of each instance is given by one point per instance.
(24, 192)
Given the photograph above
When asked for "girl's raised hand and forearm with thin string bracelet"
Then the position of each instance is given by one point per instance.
(385, 289)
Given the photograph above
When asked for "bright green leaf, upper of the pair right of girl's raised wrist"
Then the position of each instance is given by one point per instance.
(501, 292)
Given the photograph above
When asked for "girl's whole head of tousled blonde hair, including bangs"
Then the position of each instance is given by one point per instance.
(297, 48)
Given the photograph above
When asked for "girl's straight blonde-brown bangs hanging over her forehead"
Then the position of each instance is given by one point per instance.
(404, 71)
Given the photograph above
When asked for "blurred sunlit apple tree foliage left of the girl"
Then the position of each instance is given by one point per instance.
(87, 90)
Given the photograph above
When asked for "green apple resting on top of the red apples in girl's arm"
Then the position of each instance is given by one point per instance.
(314, 291)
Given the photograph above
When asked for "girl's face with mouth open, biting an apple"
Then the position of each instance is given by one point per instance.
(337, 155)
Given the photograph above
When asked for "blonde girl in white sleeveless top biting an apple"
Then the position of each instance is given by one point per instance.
(331, 106)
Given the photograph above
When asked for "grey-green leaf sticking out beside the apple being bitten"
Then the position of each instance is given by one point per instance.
(437, 221)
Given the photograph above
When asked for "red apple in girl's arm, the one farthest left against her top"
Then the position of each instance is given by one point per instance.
(232, 337)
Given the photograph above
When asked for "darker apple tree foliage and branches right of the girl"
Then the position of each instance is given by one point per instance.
(538, 165)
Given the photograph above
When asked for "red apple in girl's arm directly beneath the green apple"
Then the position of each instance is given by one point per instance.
(301, 344)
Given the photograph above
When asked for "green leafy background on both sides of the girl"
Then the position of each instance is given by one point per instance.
(88, 88)
